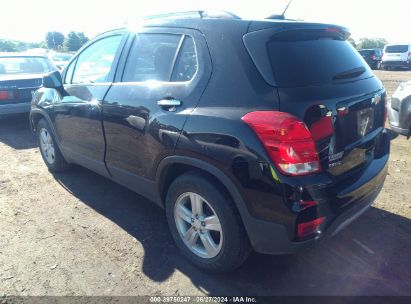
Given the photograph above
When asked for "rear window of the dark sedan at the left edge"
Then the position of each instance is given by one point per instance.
(25, 65)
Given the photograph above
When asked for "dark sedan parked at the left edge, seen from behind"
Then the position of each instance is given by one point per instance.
(20, 76)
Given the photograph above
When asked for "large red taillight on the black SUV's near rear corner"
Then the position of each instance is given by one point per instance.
(287, 141)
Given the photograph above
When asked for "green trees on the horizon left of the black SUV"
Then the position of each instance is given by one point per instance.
(53, 40)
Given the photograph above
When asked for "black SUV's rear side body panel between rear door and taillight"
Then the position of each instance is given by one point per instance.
(215, 133)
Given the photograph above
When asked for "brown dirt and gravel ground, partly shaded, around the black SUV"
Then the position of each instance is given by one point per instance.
(80, 234)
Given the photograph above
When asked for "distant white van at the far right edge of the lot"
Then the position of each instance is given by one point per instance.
(397, 56)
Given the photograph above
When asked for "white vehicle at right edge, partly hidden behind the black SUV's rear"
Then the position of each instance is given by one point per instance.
(399, 110)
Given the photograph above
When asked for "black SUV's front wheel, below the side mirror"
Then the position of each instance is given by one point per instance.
(49, 150)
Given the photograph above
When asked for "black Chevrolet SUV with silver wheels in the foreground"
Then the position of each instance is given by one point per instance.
(264, 135)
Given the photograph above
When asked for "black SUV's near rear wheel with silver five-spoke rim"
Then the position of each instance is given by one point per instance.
(230, 246)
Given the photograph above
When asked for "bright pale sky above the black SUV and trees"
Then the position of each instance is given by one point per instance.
(29, 20)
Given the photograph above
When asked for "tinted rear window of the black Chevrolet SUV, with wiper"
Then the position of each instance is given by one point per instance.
(313, 61)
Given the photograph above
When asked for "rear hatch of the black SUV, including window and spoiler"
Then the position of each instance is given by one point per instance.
(324, 82)
